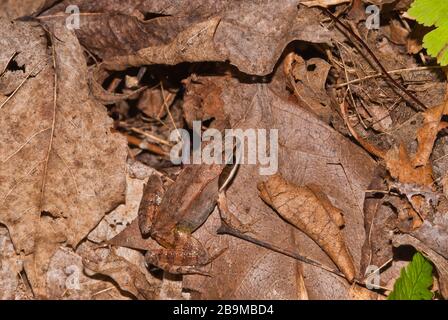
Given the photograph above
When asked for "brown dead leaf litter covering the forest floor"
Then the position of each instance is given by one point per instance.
(137, 70)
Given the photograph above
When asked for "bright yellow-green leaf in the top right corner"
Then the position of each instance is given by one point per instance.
(433, 13)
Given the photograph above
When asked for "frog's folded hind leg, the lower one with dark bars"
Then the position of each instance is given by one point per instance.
(187, 256)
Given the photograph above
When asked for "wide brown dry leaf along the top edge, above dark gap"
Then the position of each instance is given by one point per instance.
(206, 31)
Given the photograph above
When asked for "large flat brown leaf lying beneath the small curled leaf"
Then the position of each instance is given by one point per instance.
(305, 157)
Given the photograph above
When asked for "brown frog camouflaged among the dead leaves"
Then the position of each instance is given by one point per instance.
(172, 217)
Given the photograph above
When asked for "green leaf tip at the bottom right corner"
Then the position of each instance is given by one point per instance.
(414, 281)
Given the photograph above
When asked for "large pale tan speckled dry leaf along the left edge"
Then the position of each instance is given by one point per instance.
(61, 169)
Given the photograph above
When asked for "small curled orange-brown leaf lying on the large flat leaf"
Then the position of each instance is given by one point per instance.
(308, 209)
